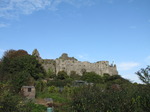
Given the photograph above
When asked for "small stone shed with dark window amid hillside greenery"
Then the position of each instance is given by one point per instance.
(28, 92)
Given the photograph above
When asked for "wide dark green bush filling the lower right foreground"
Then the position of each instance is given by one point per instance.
(97, 99)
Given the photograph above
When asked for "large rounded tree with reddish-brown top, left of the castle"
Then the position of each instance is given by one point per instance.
(19, 68)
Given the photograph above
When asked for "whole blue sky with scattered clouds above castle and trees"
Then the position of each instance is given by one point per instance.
(89, 30)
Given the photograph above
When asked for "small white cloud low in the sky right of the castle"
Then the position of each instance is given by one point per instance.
(127, 65)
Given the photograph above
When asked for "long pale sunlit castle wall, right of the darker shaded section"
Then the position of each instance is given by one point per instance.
(100, 67)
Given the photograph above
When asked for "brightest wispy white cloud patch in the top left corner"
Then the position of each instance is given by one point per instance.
(11, 8)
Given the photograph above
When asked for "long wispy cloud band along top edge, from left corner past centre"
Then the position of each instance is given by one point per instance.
(13, 8)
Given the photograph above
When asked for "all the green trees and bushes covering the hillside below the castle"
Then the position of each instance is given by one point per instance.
(103, 93)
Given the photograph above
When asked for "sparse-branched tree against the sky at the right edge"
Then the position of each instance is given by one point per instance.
(144, 75)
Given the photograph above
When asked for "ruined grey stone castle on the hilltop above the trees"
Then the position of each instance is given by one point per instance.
(69, 64)
